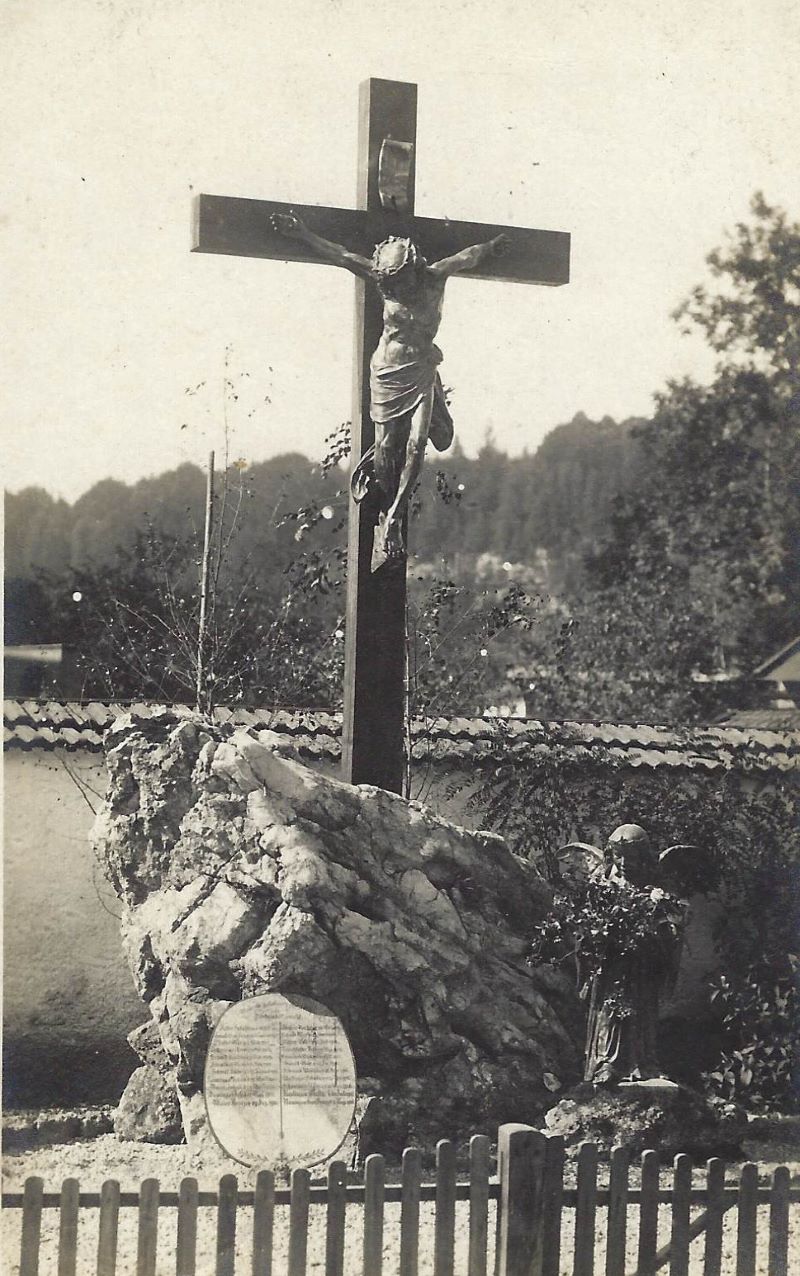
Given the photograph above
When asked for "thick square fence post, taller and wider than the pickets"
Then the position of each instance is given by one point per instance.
(521, 1167)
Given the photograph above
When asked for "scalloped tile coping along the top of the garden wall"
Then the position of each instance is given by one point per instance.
(317, 736)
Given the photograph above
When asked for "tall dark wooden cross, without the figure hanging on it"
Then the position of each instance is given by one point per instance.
(376, 639)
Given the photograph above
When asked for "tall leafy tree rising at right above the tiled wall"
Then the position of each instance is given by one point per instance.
(699, 571)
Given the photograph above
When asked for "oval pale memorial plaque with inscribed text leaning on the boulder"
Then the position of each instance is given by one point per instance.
(280, 1083)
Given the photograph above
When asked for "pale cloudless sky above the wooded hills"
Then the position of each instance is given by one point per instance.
(642, 130)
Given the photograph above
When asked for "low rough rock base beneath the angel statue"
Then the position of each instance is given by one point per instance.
(672, 1121)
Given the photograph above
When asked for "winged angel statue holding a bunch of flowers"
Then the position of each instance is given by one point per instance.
(626, 912)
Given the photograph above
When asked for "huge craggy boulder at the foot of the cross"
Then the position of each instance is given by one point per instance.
(243, 872)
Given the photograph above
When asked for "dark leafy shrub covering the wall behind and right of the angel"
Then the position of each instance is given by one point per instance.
(746, 817)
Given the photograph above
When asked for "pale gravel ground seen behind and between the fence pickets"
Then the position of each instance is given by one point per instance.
(95, 1161)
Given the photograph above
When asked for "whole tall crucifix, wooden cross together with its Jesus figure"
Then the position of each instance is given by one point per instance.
(385, 234)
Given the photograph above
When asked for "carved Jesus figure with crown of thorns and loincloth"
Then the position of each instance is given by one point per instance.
(406, 397)
